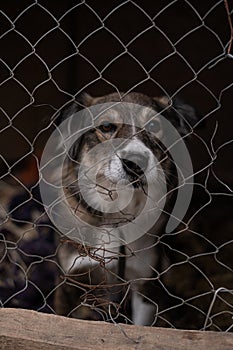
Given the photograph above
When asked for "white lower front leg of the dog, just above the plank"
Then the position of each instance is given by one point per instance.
(143, 312)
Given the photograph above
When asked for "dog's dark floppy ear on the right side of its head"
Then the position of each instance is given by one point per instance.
(182, 115)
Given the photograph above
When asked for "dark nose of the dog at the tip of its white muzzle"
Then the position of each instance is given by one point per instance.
(134, 162)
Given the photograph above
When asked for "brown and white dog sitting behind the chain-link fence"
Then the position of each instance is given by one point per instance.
(120, 154)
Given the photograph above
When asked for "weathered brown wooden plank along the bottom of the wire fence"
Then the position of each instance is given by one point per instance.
(24, 330)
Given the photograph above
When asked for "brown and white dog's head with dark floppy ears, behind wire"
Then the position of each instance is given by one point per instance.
(123, 147)
